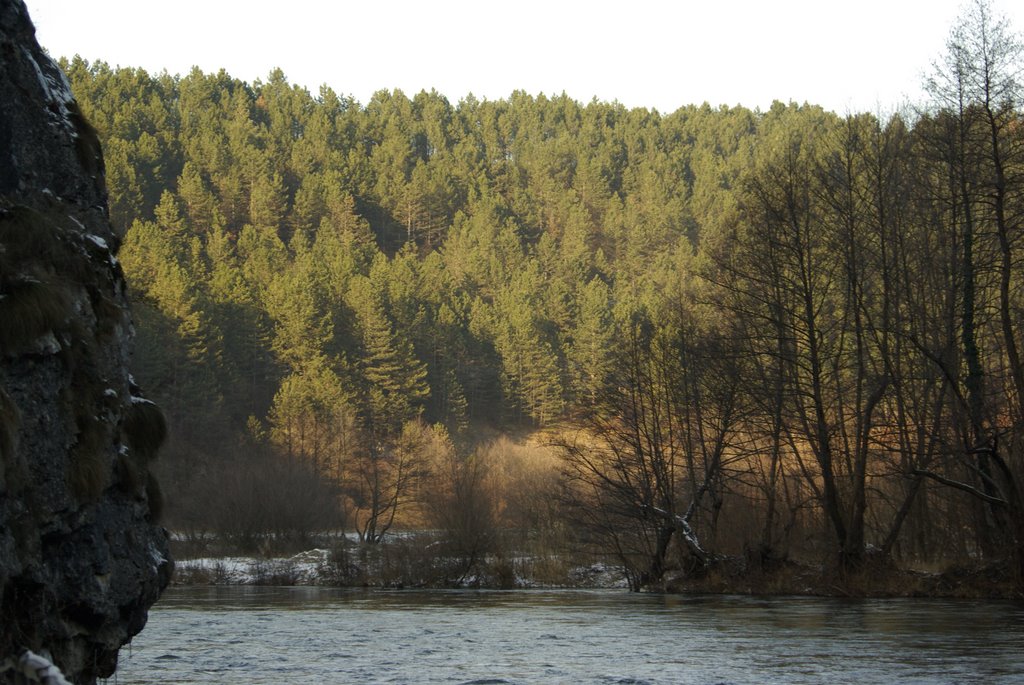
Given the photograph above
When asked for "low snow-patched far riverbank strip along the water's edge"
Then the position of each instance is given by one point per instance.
(387, 569)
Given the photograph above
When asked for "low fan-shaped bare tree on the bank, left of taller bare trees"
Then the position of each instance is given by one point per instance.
(653, 453)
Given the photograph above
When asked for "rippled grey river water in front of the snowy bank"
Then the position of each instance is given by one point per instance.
(316, 635)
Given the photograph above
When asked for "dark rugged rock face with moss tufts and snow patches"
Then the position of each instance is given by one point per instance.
(82, 556)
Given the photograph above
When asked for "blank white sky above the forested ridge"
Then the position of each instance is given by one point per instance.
(852, 56)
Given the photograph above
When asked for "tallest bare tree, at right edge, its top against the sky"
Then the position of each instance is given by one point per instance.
(978, 95)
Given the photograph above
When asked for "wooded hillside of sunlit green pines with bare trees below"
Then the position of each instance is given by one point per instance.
(538, 327)
